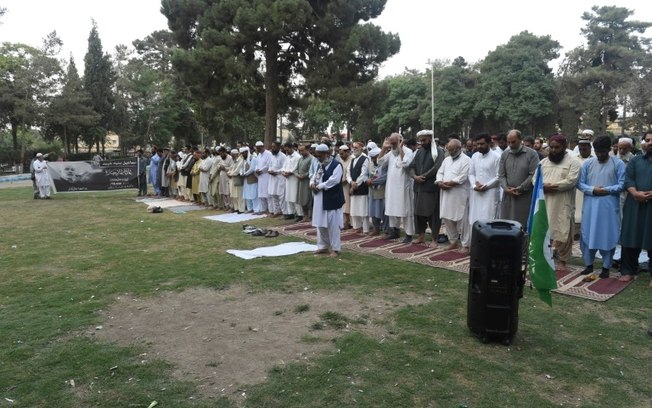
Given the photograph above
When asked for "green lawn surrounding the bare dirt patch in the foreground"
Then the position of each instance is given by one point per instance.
(65, 260)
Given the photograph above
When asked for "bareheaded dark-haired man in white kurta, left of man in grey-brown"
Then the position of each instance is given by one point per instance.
(483, 178)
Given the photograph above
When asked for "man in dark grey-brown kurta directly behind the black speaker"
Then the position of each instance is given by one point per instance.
(517, 166)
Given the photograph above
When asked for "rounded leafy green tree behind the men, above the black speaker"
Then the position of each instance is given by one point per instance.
(516, 85)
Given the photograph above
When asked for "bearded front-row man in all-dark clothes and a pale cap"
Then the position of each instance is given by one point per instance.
(423, 170)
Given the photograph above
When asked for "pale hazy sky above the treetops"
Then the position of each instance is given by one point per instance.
(428, 29)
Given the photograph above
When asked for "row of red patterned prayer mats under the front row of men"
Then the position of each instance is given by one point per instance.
(569, 281)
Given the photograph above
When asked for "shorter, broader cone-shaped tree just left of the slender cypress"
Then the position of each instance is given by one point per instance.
(70, 111)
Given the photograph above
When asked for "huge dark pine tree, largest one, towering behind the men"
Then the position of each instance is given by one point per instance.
(281, 46)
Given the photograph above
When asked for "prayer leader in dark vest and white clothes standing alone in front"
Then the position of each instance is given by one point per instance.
(327, 214)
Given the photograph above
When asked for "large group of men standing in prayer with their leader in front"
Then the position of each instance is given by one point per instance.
(394, 187)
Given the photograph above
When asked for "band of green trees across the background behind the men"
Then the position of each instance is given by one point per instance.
(233, 71)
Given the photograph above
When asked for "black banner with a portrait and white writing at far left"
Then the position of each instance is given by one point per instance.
(93, 175)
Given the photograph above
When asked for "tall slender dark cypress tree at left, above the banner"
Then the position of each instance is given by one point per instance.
(99, 79)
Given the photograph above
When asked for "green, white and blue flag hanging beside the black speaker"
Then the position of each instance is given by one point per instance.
(541, 266)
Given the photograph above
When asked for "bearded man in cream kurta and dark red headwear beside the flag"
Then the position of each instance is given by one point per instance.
(560, 172)
